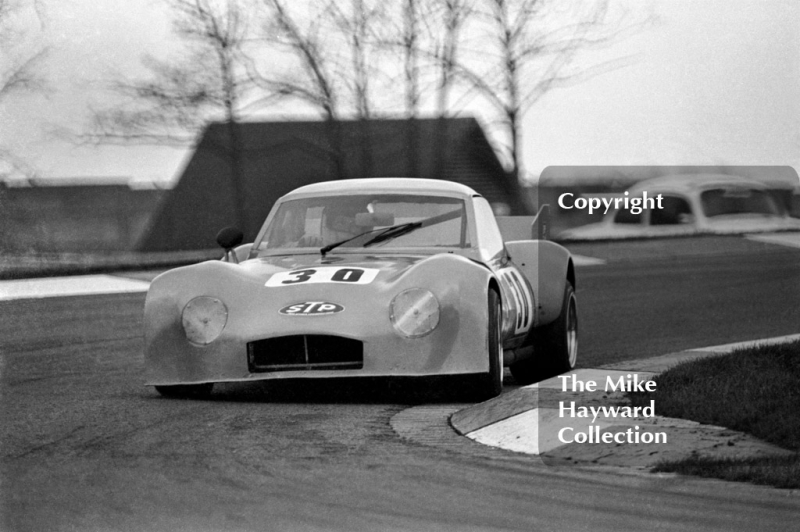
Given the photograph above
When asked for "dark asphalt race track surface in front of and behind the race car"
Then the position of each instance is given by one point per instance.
(86, 447)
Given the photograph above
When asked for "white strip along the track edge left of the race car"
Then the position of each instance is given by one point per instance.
(77, 285)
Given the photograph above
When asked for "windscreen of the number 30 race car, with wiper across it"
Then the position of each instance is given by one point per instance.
(436, 221)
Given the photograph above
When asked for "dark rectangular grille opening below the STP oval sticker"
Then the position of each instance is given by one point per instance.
(304, 352)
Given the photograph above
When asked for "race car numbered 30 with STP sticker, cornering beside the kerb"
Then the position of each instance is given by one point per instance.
(390, 277)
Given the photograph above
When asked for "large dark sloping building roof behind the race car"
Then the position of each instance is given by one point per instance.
(278, 157)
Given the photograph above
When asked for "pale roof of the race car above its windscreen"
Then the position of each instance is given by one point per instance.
(384, 185)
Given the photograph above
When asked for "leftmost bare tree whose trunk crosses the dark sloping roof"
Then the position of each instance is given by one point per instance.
(210, 81)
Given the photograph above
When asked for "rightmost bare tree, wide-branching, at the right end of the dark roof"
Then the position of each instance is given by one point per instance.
(527, 48)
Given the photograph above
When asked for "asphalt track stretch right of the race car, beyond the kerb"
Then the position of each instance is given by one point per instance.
(661, 296)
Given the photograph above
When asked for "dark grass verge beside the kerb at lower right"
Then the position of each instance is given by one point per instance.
(753, 390)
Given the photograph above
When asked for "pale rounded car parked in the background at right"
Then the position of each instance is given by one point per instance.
(693, 204)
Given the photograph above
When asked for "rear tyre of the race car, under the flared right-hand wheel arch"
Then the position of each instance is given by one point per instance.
(555, 345)
